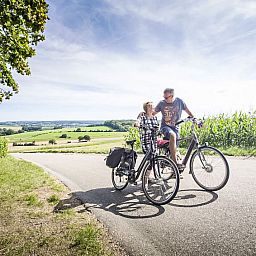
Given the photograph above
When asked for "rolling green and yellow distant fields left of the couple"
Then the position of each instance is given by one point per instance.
(101, 141)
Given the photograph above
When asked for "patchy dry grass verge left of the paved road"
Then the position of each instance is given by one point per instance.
(29, 226)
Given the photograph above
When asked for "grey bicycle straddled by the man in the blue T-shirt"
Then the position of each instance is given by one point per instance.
(208, 176)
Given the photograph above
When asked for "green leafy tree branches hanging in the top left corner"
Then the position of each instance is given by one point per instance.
(22, 25)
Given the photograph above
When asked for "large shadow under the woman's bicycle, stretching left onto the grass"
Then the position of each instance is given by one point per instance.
(130, 203)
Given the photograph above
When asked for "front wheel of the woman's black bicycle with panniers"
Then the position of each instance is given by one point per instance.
(158, 189)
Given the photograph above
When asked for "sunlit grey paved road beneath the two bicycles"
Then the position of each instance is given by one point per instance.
(195, 223)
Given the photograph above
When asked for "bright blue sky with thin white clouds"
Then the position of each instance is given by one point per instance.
(103, 58)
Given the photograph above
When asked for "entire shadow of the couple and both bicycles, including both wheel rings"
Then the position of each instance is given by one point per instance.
(131, 203)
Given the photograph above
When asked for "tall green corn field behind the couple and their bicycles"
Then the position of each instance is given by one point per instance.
(223, 131)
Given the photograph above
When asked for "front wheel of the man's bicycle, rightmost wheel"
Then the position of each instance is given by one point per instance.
(209, 168)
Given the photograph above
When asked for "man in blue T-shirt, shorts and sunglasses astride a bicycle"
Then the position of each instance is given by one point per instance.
(171, 109)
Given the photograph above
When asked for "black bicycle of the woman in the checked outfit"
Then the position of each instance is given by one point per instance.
(157, 190)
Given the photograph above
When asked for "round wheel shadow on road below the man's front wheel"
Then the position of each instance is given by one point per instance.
(194, 198)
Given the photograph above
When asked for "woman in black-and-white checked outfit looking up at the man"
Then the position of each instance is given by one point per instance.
(148, 125)
